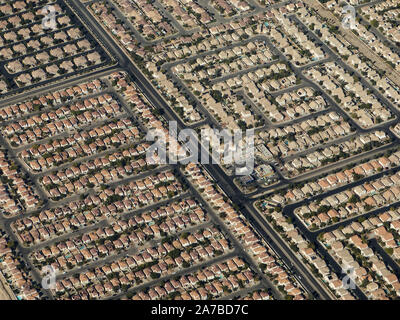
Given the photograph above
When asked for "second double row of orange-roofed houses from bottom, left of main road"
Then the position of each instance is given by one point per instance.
(163, 259)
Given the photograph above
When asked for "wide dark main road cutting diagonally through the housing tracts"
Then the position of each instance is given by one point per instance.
(225, 182)
